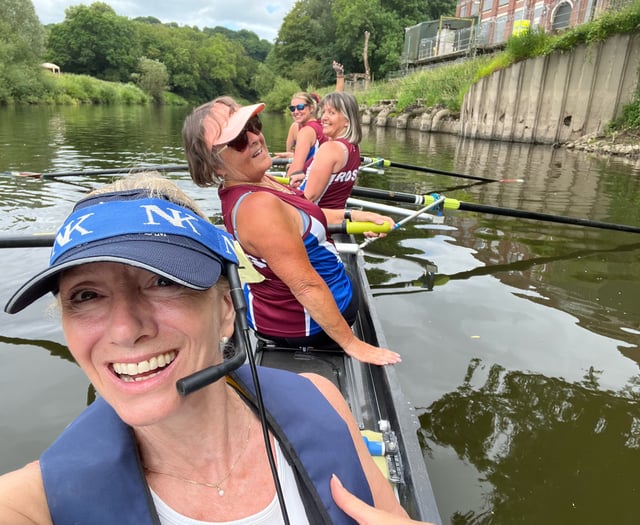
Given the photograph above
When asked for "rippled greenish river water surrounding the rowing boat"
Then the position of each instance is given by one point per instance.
(520, 354)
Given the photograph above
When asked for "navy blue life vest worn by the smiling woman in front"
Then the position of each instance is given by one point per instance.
(93, 475)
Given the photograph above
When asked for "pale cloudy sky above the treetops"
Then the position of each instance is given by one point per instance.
(263, 17)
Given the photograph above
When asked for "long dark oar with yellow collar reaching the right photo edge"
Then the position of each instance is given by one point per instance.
(454, 204)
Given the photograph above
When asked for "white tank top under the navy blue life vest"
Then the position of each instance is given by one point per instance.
(270, 515)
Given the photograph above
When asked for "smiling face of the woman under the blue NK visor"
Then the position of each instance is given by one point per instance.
(135, 333)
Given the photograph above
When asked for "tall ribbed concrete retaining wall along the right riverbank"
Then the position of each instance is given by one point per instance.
(553, 99)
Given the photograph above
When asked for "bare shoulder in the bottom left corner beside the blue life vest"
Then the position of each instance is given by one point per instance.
(22, 497)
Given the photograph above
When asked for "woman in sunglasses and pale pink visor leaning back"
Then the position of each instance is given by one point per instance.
(306, 297)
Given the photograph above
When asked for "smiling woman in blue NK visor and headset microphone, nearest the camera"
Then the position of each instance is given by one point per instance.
(146, 290)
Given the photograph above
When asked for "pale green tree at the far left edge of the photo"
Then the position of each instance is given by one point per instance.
(21, 49)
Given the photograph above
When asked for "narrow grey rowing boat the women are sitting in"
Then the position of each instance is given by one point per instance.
(374, 395)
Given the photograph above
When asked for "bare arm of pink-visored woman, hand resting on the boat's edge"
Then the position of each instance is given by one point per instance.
(271, 229)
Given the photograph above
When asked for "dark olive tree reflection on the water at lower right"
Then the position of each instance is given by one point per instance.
(510, 423)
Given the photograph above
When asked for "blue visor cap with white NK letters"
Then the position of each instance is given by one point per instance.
(150, 233)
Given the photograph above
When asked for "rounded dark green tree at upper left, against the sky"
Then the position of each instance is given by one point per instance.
(95, 41)
